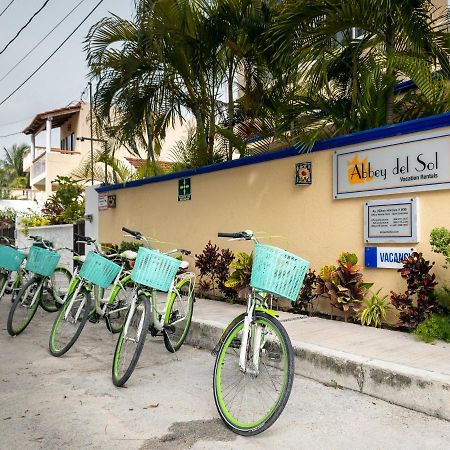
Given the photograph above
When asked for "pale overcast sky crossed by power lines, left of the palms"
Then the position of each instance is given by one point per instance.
(63, 78)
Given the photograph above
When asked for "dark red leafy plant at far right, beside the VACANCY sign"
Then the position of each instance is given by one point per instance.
(419, 300)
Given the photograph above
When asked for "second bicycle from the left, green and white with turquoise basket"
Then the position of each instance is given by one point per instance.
(45, 287)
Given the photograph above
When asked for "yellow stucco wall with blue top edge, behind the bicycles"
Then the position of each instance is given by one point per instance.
(264, 198)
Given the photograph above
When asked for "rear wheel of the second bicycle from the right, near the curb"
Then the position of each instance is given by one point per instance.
(174, 336)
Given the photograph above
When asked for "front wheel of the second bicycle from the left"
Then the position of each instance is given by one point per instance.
(24, 307)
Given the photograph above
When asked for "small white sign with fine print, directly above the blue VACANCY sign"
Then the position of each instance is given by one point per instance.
(391, 221)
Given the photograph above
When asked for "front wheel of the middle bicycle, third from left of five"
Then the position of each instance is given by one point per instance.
(69, 322)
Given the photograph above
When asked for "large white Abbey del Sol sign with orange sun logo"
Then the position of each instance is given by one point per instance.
(406, 166)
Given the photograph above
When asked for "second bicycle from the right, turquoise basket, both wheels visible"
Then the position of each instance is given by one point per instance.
(154, 271)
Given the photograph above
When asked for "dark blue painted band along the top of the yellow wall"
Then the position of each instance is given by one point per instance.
(398, 129)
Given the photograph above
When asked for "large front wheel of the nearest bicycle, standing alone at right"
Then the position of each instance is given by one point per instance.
(250, 401)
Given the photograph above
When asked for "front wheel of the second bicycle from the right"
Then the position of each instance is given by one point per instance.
(120, 377)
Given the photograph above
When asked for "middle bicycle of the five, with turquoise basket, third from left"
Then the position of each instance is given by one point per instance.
(87, 297)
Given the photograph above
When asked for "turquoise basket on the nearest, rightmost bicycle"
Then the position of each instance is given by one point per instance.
(277, 271)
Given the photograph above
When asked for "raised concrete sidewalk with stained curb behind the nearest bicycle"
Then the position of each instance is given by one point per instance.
(385, 364)
